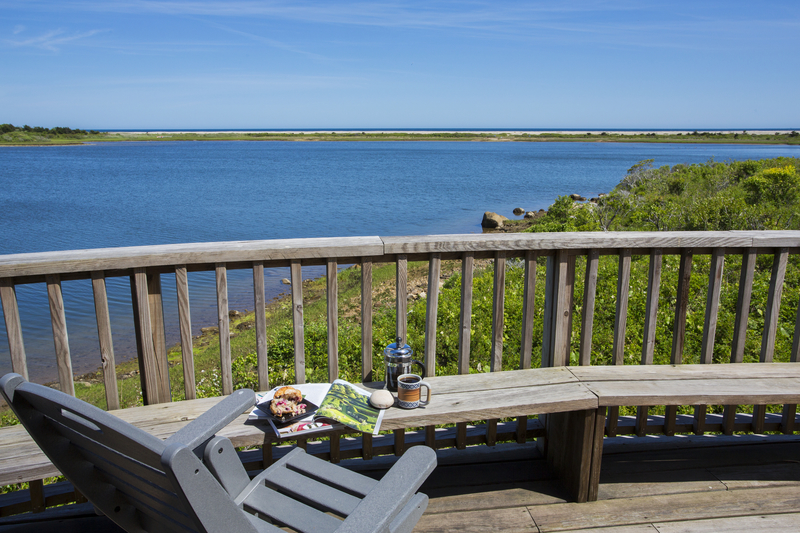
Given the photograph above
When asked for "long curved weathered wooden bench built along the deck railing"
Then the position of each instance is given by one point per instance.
(573, 399)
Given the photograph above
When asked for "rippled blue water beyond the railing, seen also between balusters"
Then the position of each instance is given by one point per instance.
(144, 193)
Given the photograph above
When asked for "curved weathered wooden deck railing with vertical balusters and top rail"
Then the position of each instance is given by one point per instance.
(145, 266)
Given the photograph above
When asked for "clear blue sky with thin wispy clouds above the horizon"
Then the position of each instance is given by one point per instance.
(240, 64)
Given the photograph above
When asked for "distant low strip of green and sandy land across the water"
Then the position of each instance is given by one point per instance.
(26, 135)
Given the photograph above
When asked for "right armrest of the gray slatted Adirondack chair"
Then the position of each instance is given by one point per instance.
(378, 509)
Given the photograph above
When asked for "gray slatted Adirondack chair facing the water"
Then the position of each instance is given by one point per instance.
(194, 481)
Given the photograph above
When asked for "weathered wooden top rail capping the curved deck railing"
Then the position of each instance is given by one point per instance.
(73, 261)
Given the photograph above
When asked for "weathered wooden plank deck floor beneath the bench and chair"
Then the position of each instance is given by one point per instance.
(648, 484)
